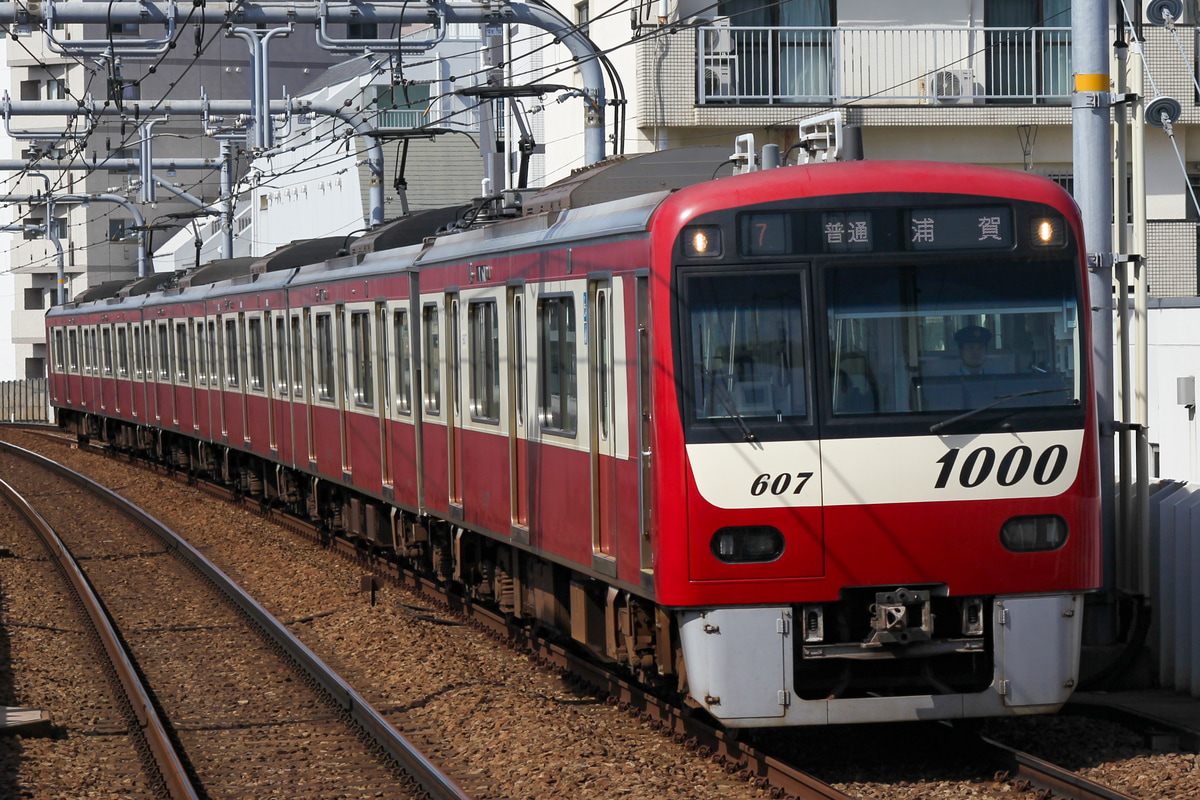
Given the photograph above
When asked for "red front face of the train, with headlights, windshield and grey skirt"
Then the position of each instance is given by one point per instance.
(877, 485)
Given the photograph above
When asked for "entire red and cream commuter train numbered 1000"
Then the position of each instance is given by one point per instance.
(815, 444)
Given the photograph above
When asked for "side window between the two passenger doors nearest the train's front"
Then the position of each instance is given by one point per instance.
(557, 390)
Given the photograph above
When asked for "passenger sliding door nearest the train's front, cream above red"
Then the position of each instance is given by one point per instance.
(603, 424)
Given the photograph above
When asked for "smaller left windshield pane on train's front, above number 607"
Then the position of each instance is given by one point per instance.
(748, 340)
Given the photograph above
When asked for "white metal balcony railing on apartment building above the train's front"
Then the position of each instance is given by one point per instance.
(939, 67)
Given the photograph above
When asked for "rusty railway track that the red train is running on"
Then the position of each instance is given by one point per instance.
(767, 768)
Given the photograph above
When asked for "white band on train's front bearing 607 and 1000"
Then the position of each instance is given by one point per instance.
(895, 470)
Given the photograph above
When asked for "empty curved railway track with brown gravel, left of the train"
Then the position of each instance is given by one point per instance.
(245, 706)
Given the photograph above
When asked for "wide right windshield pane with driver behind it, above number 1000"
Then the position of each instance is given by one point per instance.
(947, 338)
